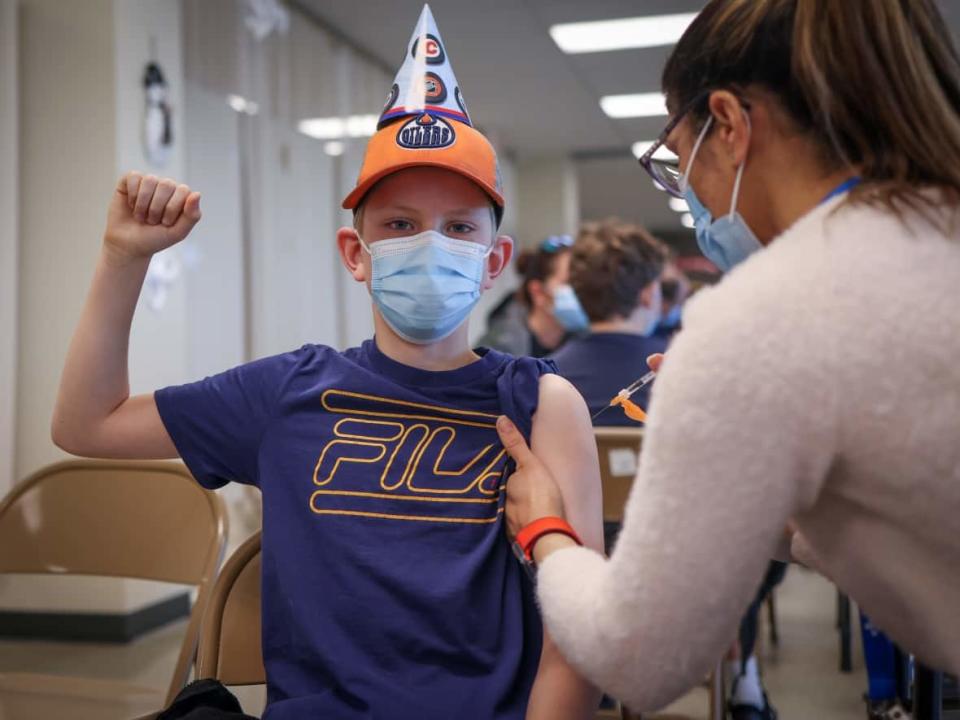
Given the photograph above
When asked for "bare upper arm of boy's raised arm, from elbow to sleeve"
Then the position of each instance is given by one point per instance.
(133, 431)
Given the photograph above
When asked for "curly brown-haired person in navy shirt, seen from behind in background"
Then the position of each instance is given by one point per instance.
(615, 273)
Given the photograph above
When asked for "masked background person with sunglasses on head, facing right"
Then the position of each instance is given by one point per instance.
(543, 312)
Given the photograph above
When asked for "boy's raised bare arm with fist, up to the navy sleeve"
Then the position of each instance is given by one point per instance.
(95, 415)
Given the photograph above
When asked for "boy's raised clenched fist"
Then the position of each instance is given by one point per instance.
(149, 214)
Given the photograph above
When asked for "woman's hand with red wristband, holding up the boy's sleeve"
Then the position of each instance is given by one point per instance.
(532, 492)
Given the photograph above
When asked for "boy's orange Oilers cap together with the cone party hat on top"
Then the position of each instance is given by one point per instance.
(425, 123)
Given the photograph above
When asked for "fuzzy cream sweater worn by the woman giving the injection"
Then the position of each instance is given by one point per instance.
(820, 381)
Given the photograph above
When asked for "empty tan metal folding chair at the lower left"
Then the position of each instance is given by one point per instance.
(145, 520)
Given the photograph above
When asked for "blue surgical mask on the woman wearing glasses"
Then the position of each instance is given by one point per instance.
(727, 240)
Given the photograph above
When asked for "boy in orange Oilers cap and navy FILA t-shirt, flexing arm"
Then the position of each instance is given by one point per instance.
(389, 589)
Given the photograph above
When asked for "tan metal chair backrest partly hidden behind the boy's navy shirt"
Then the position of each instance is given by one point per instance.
(230, 642)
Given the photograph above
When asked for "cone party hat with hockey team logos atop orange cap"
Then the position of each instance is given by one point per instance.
(425, 82)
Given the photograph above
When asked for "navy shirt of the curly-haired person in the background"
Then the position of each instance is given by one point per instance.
(600, 365)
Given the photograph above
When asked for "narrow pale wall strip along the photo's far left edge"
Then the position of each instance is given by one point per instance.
(8, 239)
